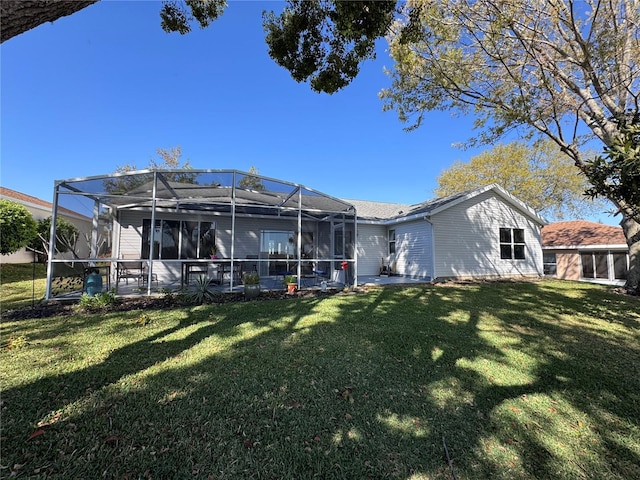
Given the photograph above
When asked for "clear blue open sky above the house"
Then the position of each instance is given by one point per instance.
(107, 87)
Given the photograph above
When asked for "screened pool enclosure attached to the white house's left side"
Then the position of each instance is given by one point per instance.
(166, 229)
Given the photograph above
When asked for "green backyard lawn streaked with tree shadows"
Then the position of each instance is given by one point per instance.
(523, 380)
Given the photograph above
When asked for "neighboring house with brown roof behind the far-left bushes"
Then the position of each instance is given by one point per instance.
(40, 210)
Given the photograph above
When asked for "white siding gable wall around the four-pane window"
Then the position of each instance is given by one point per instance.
(467, 239)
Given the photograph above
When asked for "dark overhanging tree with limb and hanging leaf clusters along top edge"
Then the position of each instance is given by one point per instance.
(323, 41)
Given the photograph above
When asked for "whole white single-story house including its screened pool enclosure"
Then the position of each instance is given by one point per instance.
(175, 225)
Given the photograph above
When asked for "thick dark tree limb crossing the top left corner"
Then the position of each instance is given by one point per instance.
(18, 16)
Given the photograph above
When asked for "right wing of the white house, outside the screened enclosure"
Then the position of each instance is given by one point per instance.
(484, 232)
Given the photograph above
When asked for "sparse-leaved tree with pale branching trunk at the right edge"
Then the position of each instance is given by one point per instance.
(562, 69)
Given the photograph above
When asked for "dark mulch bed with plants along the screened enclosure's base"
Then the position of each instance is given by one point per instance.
(124, 304)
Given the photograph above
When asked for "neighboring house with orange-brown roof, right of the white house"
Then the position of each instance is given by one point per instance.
(586, 251)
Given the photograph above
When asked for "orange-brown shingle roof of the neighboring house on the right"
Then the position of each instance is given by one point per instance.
(581, 232)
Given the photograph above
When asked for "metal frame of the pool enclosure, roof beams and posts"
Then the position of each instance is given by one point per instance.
(228, 193)
